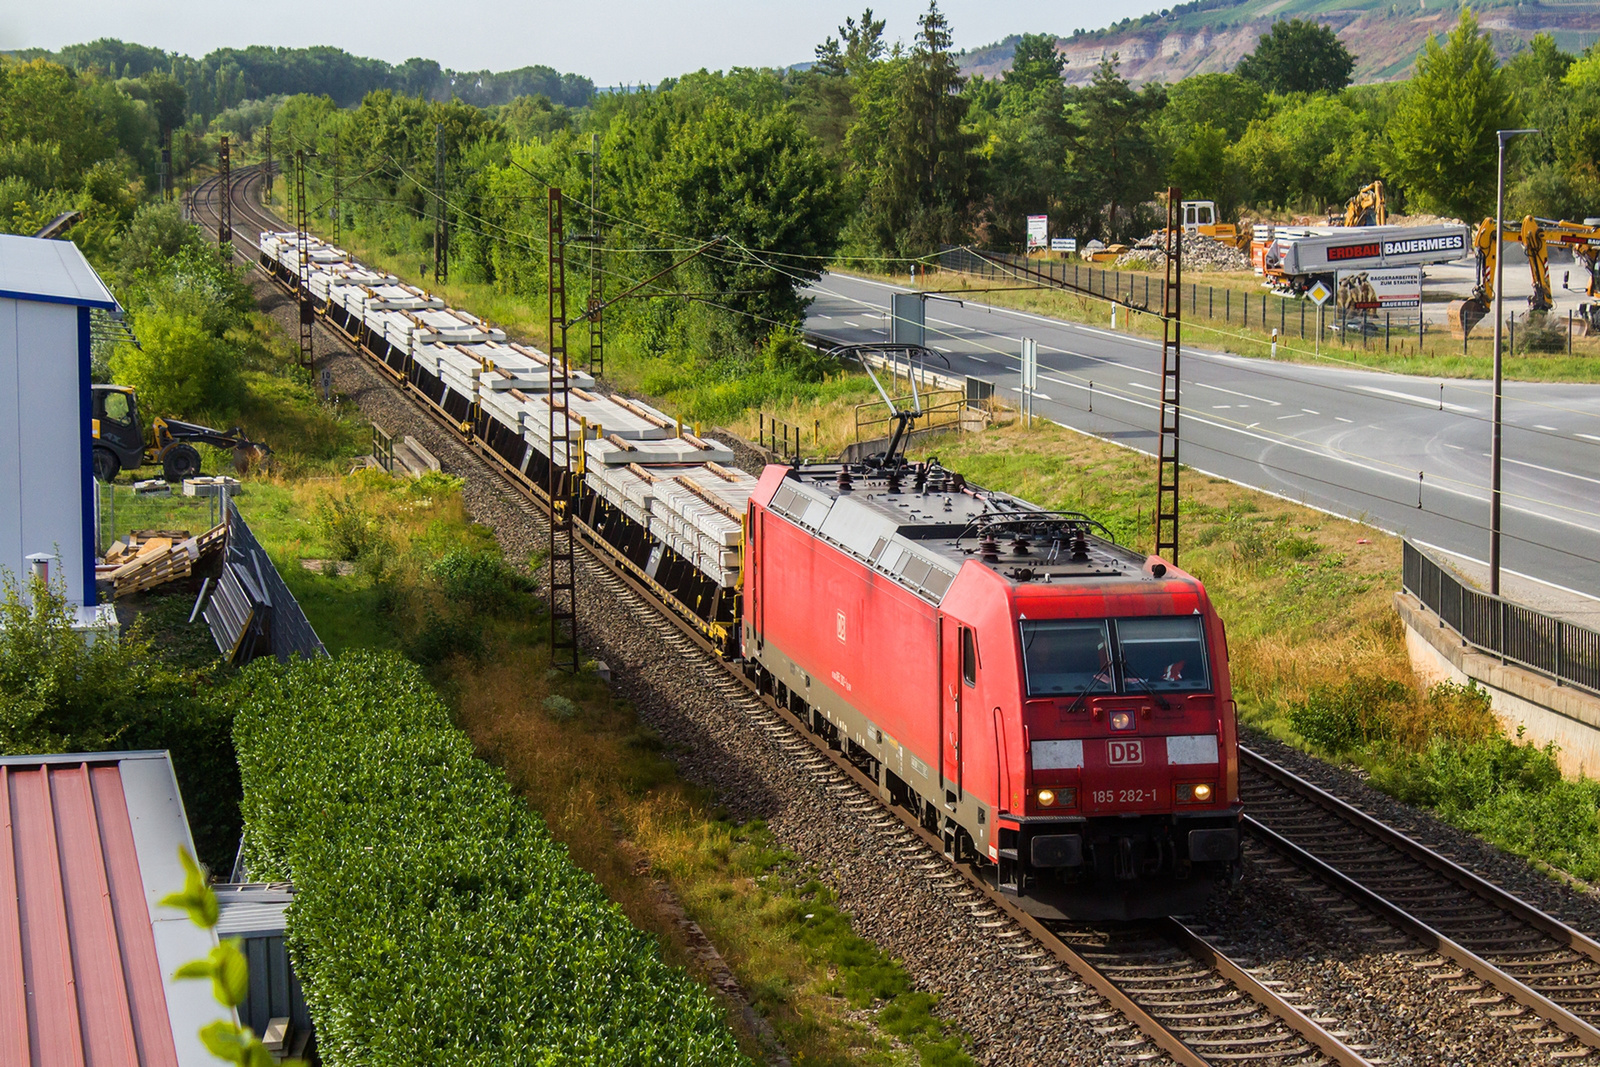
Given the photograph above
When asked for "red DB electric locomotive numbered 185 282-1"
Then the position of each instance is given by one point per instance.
(1054, 705)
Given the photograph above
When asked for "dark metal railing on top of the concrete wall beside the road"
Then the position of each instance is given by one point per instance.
(1556, 649)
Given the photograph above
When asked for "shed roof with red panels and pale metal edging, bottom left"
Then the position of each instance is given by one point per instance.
(89, 847)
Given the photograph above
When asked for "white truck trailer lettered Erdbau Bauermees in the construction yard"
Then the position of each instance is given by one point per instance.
(1294, 258)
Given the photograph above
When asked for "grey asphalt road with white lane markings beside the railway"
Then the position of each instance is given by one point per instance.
(1409, 455)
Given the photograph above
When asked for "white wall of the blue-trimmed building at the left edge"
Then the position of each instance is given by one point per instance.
(44, 444)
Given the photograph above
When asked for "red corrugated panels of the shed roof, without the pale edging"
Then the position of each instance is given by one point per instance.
(79, 977)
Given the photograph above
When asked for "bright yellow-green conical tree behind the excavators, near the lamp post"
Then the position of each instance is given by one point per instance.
(1444, 129)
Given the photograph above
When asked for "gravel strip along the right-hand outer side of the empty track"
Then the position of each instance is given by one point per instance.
(1577, 905)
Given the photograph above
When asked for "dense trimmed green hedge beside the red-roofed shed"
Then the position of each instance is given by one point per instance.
(436, 922)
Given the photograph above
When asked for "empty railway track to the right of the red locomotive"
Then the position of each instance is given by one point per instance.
(1529, 967)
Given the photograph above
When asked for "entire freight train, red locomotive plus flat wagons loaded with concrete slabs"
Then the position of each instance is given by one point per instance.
(1054, 706)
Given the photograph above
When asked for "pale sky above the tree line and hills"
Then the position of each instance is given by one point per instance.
(610, 41)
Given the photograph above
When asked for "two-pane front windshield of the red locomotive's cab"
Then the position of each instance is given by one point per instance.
(1073, 657)
